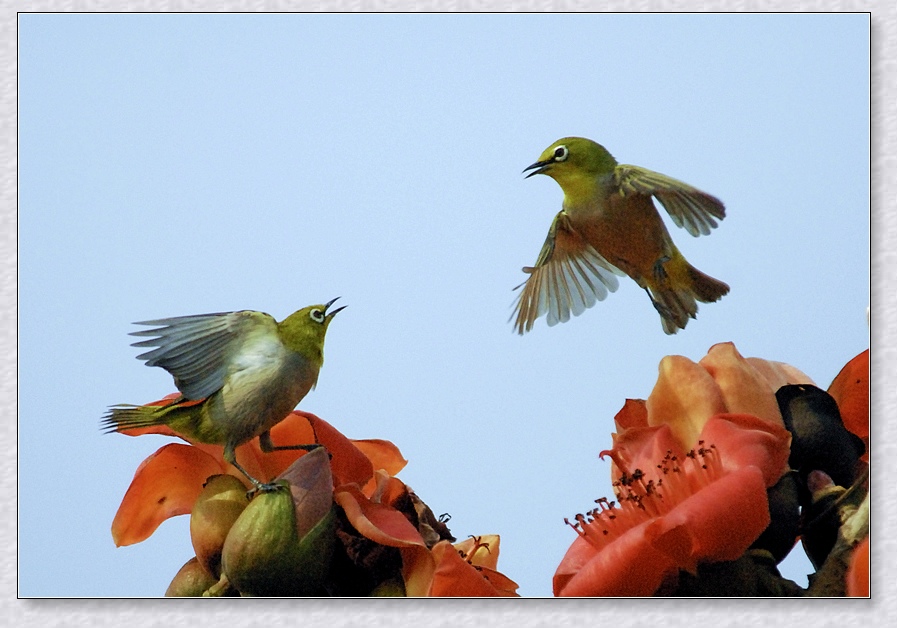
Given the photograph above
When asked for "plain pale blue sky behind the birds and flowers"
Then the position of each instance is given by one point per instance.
(182, 164)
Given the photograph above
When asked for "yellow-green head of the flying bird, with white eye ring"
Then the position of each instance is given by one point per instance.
(575, 163)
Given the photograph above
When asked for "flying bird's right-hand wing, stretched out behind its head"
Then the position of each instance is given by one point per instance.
(696, 211)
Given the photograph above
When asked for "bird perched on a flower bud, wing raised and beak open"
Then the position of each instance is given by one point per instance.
(239, 374)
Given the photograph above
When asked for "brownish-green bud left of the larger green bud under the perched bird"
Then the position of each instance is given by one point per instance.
(218, 506)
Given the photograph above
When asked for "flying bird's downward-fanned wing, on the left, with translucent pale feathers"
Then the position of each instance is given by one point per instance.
(569, 276)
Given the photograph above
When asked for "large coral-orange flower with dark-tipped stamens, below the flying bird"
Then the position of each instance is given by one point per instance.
(691, 469)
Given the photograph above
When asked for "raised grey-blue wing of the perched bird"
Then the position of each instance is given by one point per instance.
(197, 350)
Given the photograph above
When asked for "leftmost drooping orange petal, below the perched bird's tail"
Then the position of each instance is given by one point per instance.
(166, 484)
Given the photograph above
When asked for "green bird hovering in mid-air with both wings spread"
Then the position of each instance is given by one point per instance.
(608, 227)
